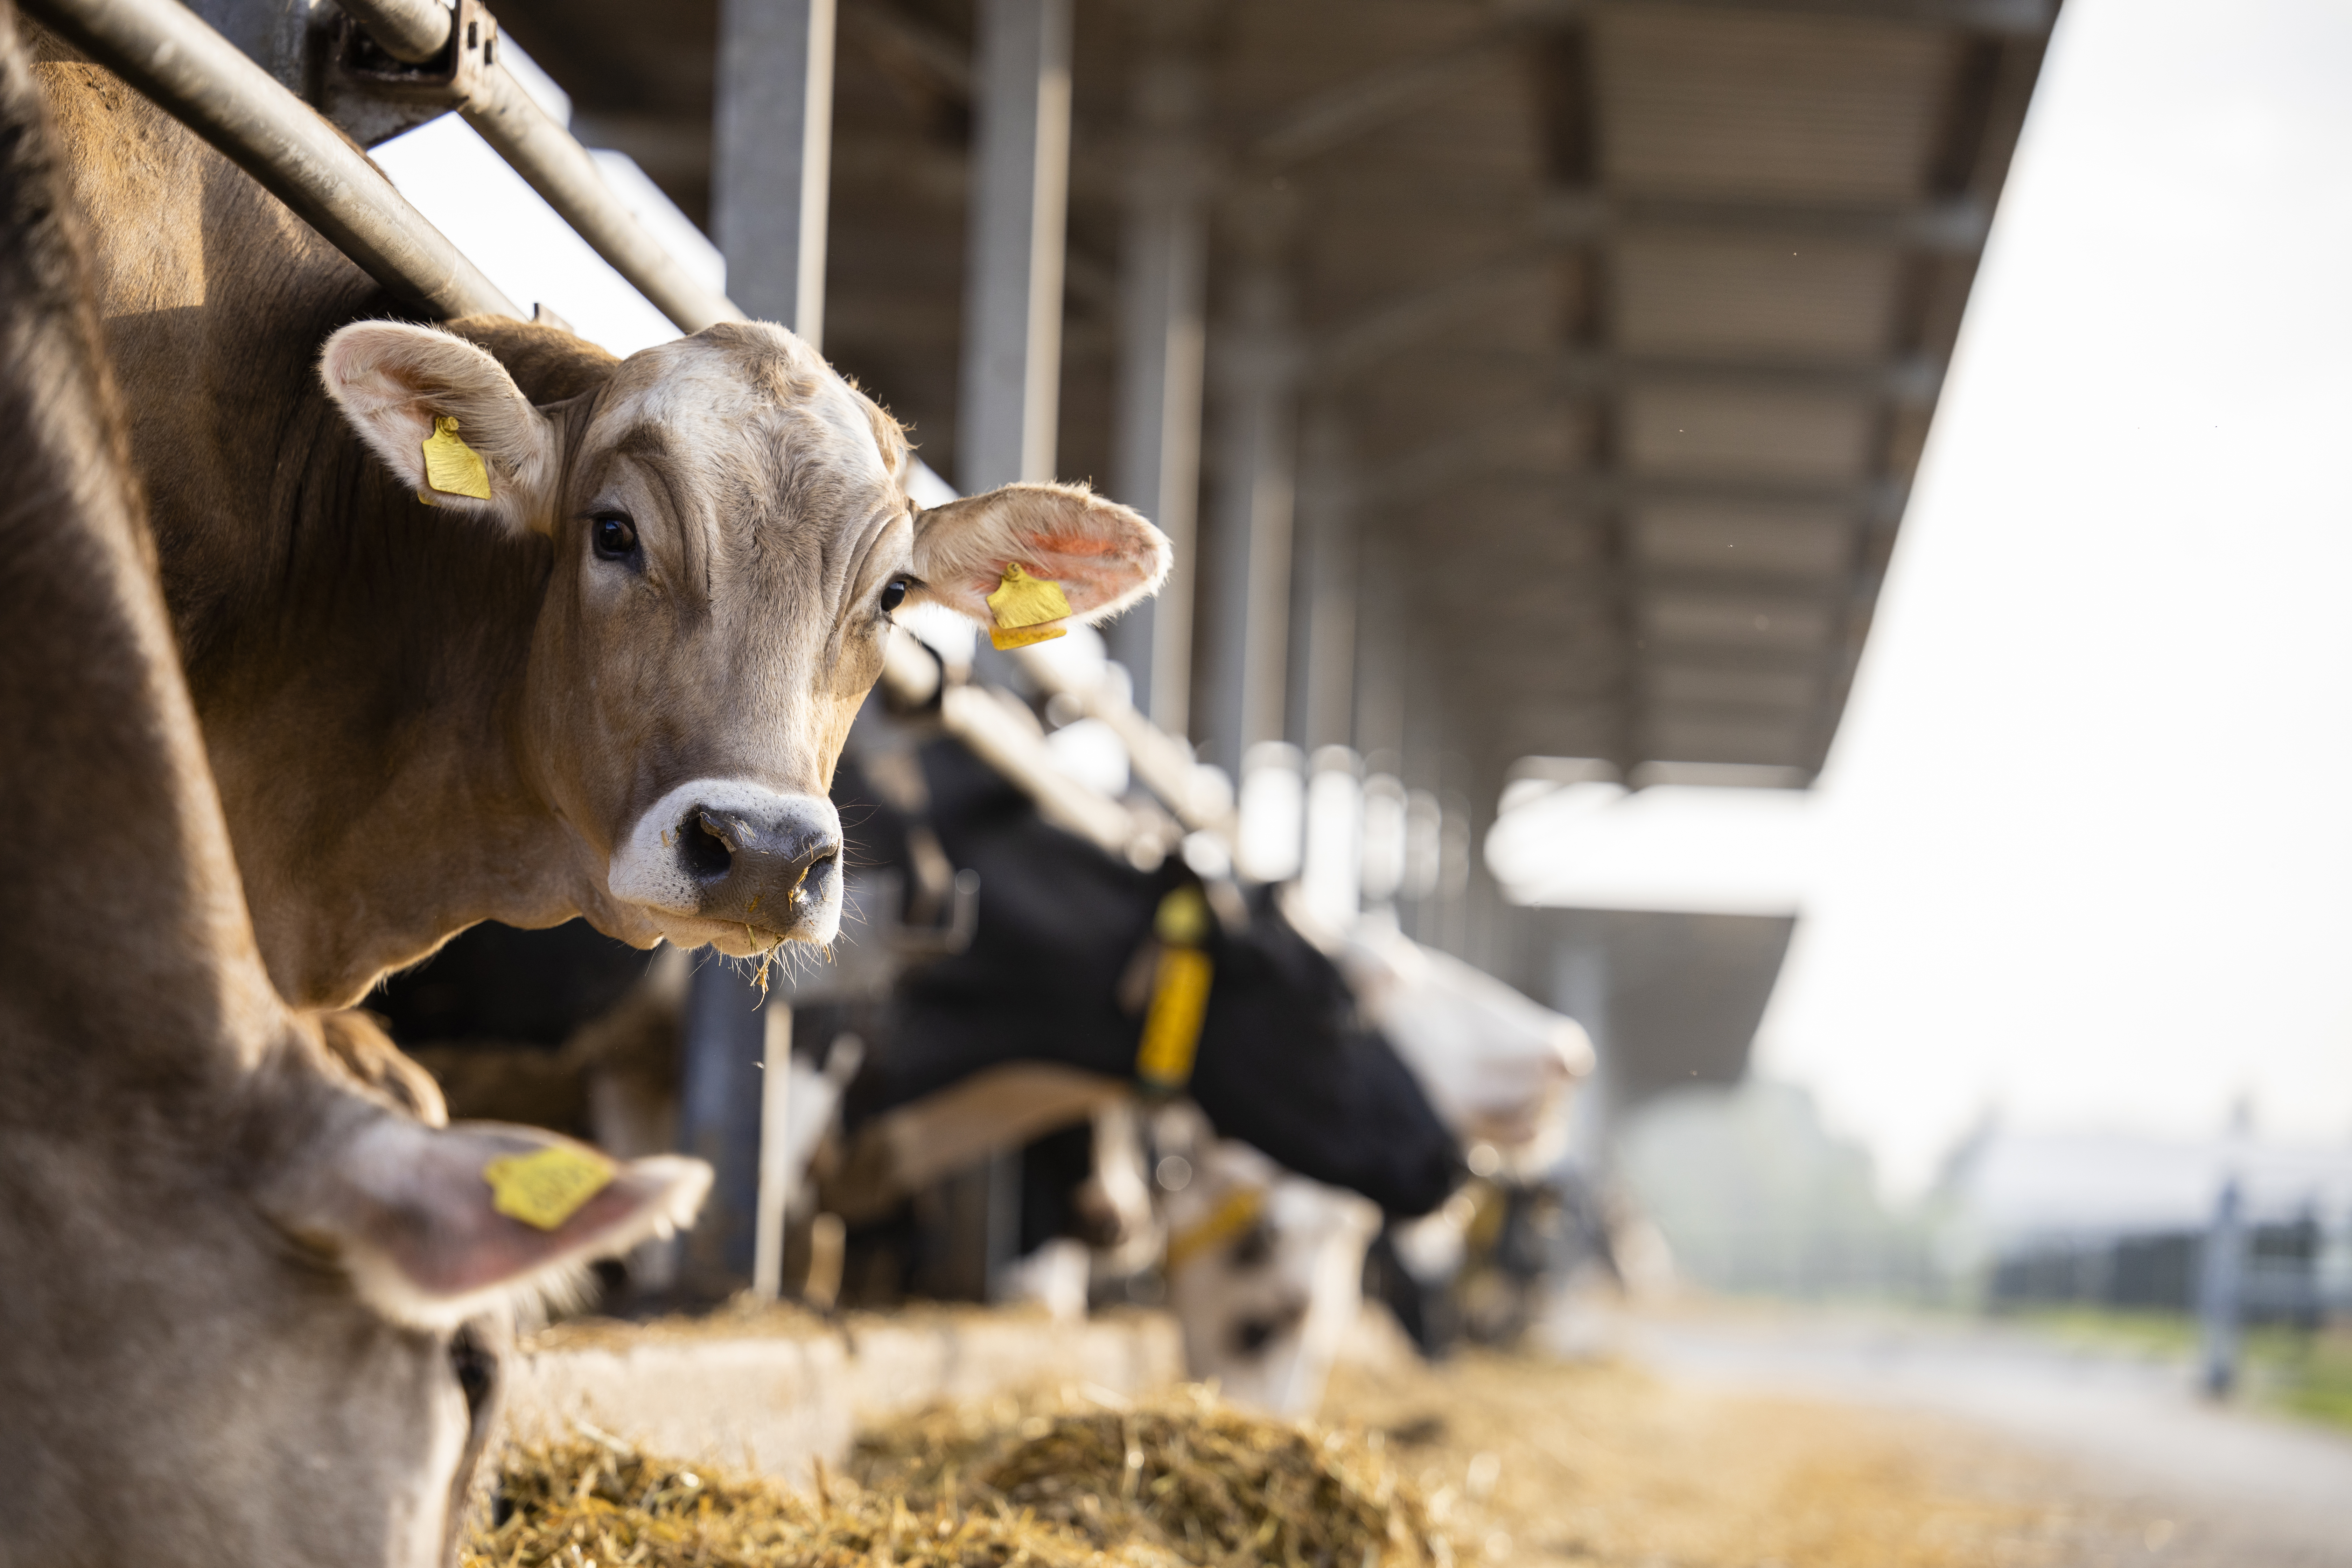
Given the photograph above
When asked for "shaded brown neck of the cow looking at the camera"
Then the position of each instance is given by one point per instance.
(363, 716)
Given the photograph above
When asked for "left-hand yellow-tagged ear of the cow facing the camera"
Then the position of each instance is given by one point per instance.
(401, 389)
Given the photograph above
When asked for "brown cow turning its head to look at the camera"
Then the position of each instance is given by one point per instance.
(613, 690)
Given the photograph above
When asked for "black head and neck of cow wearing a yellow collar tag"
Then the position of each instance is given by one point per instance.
(1057, 974)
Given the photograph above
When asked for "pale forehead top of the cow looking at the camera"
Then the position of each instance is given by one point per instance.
(737, 394)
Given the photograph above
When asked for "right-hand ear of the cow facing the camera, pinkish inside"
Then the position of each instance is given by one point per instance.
(1100, 554)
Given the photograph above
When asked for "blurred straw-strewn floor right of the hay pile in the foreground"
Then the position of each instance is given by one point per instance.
(1568, 1463)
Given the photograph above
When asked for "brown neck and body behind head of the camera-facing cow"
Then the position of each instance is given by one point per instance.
(356, 659)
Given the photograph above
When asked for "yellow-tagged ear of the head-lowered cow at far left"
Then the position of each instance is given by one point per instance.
(436, 1226)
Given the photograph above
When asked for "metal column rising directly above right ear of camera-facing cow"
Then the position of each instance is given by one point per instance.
(1010, 396)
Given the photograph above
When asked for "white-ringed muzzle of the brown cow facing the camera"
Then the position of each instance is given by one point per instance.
(733, 864)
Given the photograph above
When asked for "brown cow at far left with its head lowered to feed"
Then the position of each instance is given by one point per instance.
(229, 1280)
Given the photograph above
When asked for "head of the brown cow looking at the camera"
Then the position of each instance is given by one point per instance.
(730, 537)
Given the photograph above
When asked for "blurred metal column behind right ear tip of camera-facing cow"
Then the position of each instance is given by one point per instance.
(1156, 462)
